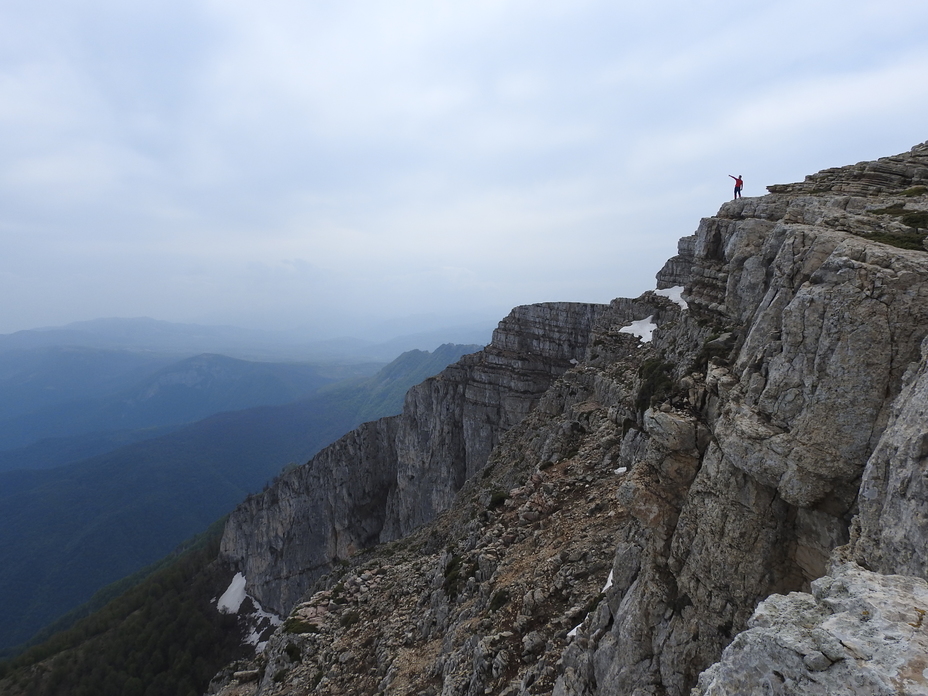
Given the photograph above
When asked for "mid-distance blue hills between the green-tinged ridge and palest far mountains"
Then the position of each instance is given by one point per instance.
(73, 392)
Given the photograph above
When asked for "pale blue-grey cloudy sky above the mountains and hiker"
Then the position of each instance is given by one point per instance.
(325, 166)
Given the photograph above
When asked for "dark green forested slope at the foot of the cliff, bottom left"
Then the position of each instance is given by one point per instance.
(164, 637)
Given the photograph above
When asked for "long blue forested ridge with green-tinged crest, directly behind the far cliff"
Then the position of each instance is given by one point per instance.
(66, 532)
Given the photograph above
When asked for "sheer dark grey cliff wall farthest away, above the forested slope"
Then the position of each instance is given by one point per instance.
(392, 475)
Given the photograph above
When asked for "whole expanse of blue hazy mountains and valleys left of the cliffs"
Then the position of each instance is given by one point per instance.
(113, 450)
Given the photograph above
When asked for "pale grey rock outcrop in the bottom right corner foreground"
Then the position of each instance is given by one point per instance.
(858, 633)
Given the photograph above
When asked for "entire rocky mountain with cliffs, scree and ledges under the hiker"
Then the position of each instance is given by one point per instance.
(718, 488)
